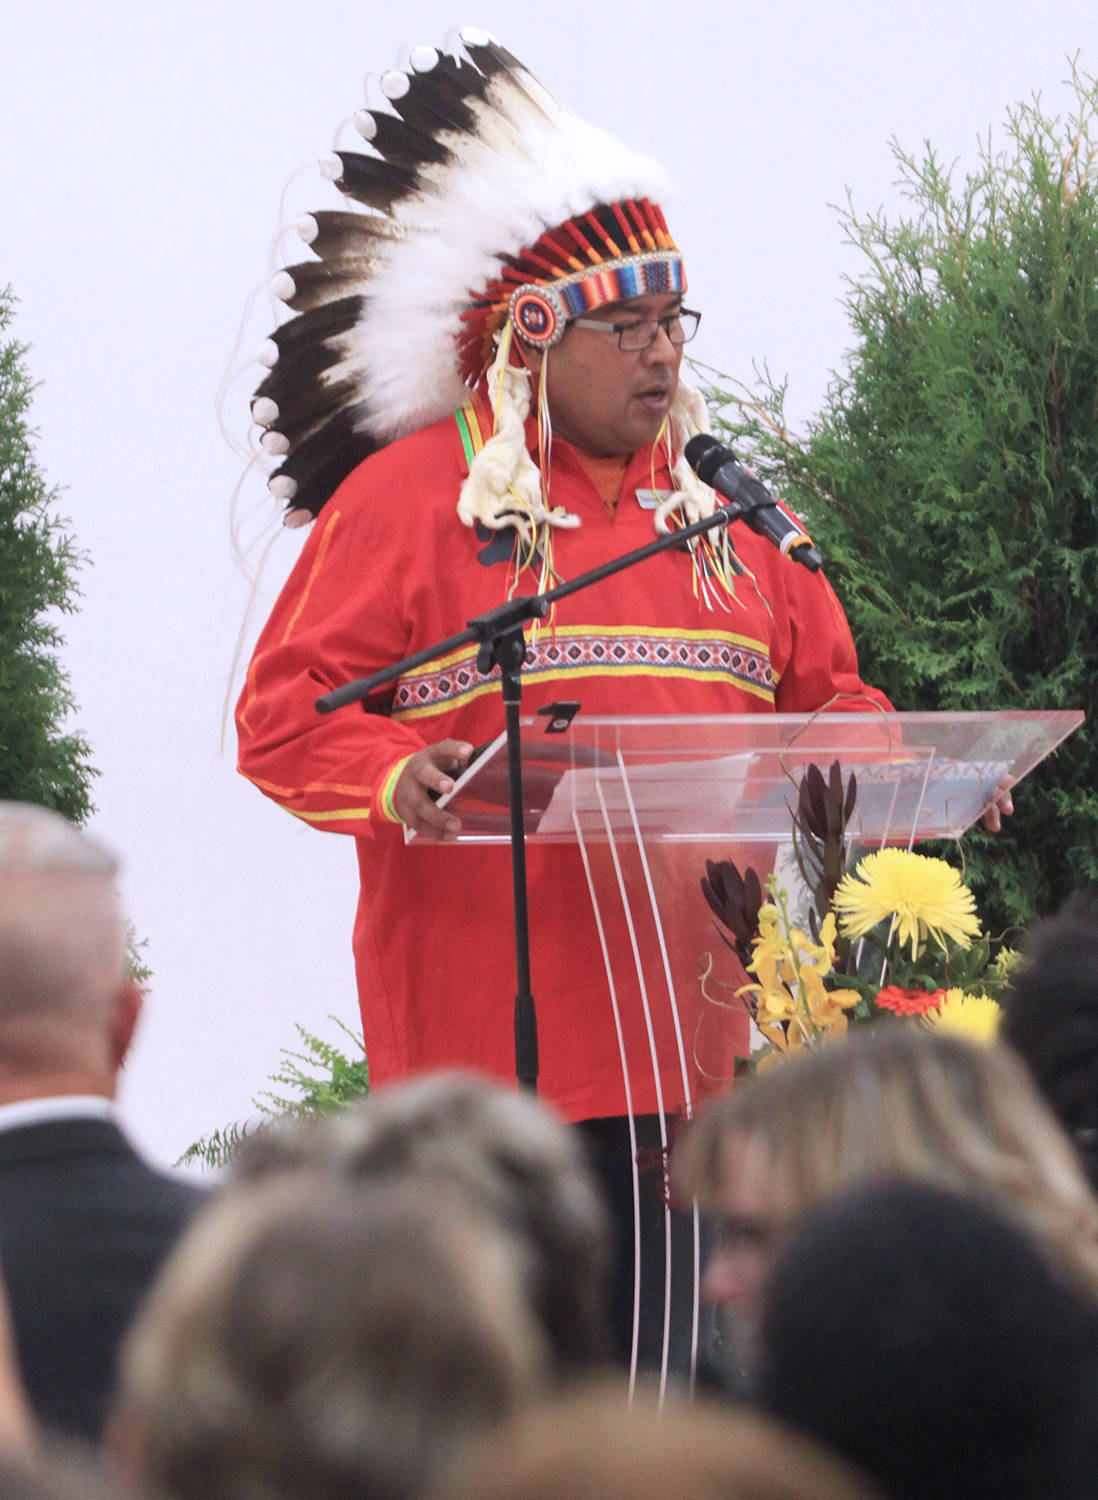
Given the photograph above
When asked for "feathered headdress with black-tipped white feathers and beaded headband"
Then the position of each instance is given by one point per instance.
(485, 211)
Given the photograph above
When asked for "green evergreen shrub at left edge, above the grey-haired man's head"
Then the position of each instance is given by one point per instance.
(40, 763)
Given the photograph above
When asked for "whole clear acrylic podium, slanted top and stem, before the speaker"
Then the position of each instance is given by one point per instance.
(647, 802)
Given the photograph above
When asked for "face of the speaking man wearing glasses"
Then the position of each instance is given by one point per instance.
(604, 400)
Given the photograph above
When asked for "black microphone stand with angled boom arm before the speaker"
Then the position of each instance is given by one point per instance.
(502, 643)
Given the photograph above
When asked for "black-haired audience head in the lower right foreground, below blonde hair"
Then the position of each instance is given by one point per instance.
(922, 1336)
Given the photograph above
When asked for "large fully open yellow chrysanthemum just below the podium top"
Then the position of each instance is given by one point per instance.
(925, 896)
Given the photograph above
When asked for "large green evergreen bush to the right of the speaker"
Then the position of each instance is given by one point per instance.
(950, 476)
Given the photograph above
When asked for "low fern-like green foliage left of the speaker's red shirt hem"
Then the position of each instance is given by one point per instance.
(340, 1082)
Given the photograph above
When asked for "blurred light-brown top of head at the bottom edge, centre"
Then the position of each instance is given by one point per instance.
(592, 1445)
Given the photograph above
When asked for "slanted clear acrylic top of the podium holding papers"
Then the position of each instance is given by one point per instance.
(704, 778)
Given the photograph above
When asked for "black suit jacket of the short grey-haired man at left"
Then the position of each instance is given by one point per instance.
(85, 1225)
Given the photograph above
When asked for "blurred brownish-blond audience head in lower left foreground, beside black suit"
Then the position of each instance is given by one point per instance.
(310, 1343)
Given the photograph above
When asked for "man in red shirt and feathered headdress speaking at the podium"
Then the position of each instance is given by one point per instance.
(479, 395)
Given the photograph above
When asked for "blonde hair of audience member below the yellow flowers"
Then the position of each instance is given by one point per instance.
(899, 1102)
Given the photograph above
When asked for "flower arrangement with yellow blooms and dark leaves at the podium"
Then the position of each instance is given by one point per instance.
(895, 937)
